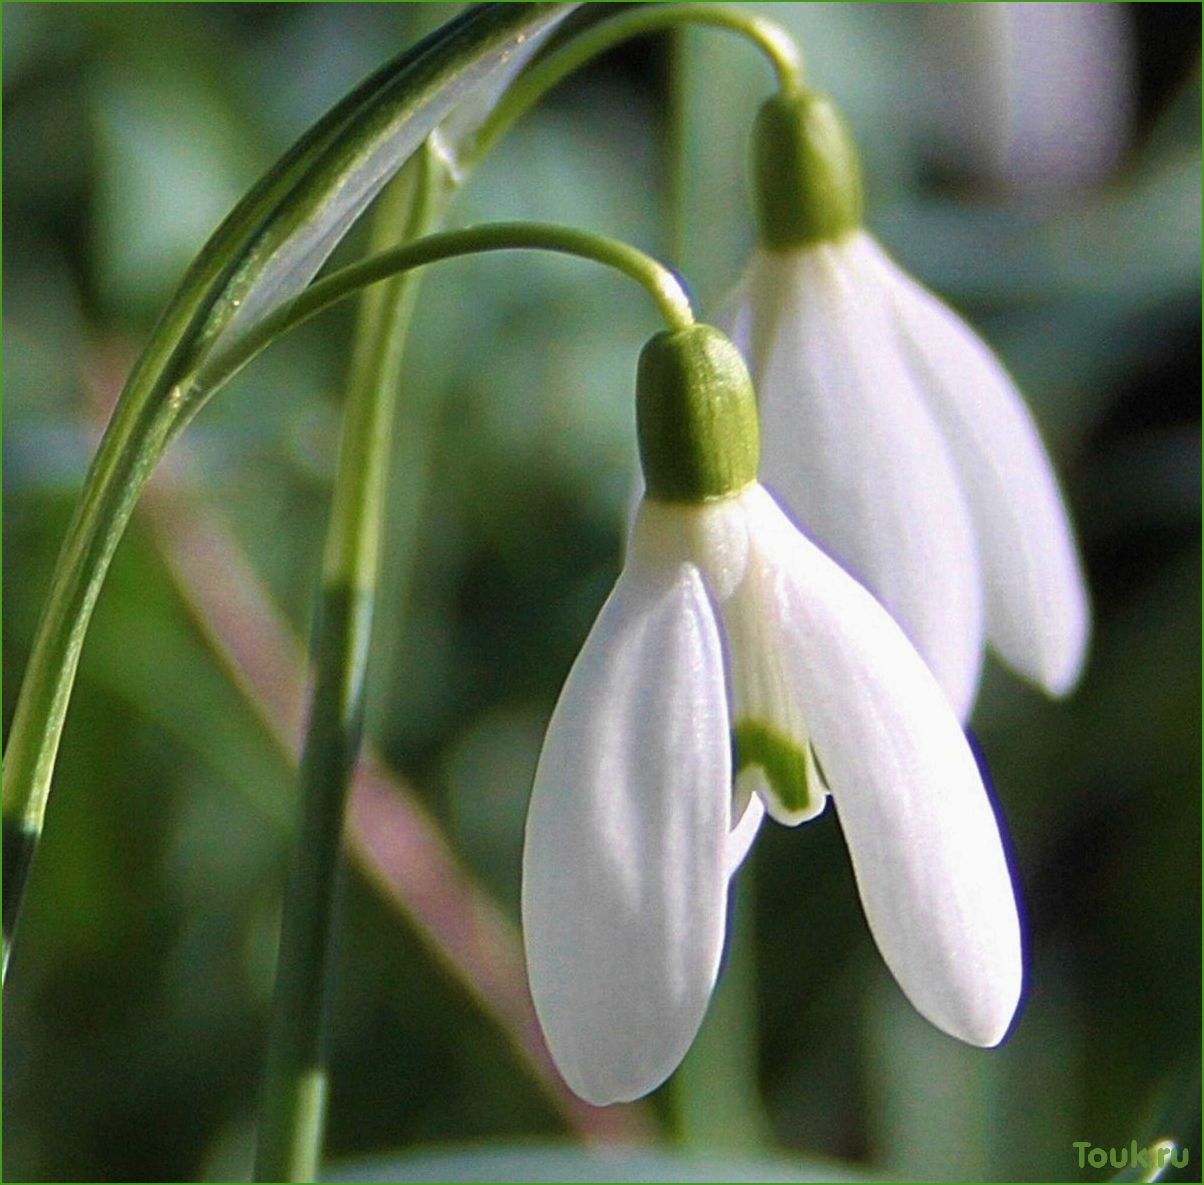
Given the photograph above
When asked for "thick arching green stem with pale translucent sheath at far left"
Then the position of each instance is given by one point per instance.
(265, 252)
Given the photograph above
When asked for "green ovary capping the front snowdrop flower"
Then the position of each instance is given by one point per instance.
(699, 438)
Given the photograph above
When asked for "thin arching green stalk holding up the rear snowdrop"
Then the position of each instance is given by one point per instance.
(771, 39)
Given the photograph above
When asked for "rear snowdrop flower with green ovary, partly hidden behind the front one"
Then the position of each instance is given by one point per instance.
(892, 431)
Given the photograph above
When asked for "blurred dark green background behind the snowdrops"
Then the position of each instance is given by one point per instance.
(135, 1013)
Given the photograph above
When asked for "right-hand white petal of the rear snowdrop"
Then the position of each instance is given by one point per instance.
(1037, 610)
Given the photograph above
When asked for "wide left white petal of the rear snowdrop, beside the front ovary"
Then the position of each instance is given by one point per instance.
(851, 447)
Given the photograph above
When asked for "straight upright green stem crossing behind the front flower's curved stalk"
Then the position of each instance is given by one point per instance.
(293, 1118)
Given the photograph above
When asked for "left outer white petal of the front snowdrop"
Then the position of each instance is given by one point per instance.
(625, 865)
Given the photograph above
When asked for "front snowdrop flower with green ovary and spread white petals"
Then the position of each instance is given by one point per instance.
(734, 650)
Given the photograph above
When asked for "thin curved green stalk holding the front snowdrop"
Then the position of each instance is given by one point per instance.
(662, 285)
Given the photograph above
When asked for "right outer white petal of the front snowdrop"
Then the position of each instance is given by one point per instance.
(924, 840)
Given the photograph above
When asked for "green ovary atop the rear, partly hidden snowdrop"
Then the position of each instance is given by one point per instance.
(806, 174)
